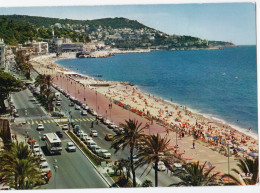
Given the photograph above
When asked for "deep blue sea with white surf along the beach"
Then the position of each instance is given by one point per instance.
(219, 84)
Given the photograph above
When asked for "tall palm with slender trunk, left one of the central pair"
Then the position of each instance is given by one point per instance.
(133, 132)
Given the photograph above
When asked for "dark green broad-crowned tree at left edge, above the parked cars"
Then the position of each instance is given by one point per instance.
(8, 84)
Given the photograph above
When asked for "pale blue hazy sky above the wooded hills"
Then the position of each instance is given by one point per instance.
(221, 21)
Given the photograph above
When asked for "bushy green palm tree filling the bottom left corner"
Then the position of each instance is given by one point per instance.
(18, 168)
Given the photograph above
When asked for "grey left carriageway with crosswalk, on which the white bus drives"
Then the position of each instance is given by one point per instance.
(74, 170)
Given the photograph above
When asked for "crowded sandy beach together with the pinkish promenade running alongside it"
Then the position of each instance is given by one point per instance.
(212, 141)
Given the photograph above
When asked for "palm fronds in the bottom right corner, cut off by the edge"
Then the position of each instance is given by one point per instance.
(249, 168)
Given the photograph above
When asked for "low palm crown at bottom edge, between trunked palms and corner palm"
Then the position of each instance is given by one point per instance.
(195, 175)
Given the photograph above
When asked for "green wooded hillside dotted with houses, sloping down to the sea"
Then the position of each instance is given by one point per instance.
(119, 33)
